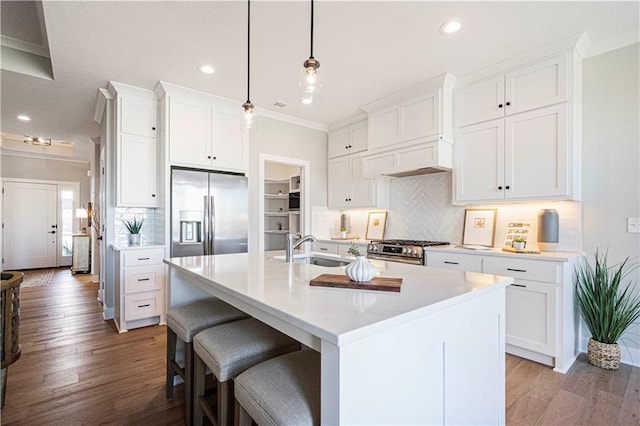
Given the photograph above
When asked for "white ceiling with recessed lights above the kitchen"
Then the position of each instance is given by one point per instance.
(367, 50)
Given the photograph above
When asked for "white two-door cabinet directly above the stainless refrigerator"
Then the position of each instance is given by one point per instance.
(204, 131)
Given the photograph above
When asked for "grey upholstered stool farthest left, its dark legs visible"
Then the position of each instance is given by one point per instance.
(183, 323)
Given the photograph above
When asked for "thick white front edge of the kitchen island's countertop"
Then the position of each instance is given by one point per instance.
(349, 336)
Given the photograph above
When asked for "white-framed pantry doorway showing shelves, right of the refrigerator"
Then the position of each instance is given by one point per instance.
(284, 185)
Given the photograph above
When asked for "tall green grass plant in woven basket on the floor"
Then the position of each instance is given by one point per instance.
(607, 308)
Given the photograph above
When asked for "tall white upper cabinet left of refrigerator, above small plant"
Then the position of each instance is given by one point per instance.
(136, 146)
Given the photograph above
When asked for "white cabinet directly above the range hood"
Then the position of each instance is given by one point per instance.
(417, 114)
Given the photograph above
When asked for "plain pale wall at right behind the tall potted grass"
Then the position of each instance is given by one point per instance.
(611, 164)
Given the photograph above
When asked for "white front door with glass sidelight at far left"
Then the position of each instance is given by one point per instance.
(38, 223)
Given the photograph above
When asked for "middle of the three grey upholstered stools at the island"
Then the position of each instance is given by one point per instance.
(228, 350)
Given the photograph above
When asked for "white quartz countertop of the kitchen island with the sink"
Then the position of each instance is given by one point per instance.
(340, 316)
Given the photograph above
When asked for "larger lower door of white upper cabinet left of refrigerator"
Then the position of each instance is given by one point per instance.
(137, 177)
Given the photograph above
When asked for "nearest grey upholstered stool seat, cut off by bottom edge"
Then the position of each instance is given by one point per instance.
(281, 391)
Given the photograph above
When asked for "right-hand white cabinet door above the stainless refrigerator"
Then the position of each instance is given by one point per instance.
(228, 150)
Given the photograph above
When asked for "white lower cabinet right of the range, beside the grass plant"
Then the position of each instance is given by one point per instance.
(540, 316)
